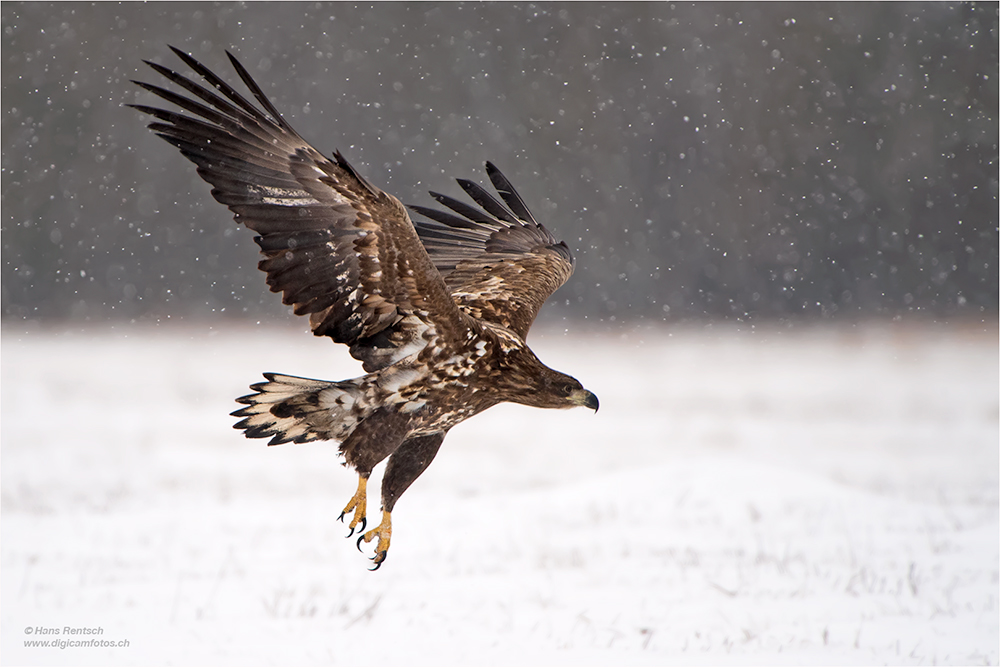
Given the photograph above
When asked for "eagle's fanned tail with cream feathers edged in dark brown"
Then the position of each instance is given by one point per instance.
(294, 409)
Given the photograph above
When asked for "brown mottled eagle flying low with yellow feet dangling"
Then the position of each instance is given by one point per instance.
(437, 311)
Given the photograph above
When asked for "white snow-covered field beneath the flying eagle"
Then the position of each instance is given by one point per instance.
(813, 496)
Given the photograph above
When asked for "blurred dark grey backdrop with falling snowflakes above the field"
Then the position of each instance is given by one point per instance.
(736, 161)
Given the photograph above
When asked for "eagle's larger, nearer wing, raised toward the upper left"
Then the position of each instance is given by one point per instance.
(339, 249)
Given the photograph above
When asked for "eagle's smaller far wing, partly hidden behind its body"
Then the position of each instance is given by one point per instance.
(499, 263)
